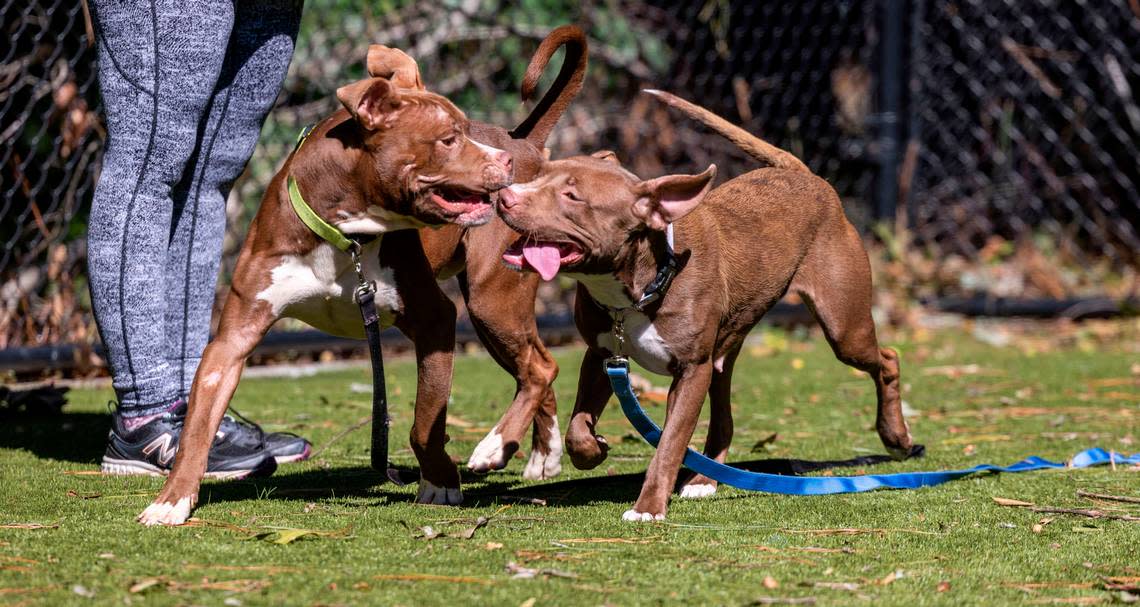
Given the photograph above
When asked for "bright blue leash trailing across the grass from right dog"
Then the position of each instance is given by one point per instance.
(618, 370)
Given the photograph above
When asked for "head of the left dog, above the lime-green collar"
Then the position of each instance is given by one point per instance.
(418, 155)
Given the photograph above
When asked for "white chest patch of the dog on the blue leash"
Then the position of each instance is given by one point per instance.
(644, 344)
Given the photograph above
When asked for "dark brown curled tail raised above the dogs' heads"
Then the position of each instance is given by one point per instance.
(541, 123)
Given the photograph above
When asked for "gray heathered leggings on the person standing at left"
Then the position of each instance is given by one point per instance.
(186, 86)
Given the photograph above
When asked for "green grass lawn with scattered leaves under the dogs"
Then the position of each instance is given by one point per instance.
(950, 545)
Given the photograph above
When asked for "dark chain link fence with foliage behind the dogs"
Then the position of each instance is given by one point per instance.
(963, 135)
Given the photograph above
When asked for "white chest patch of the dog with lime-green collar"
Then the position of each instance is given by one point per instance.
(317, 289)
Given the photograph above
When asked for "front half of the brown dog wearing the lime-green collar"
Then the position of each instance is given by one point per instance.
(392, 160)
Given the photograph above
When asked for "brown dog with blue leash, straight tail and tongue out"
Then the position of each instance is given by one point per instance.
(740, 247)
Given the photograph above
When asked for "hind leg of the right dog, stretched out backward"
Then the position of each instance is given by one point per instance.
(835, 281)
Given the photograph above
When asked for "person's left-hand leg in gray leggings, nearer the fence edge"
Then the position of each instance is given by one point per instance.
(159, 67)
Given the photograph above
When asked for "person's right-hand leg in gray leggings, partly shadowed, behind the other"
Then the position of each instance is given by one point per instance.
(257, 60)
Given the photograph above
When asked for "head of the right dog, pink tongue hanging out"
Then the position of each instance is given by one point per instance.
(581, 213)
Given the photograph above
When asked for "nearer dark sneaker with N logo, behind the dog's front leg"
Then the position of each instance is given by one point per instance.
(150, 450)
